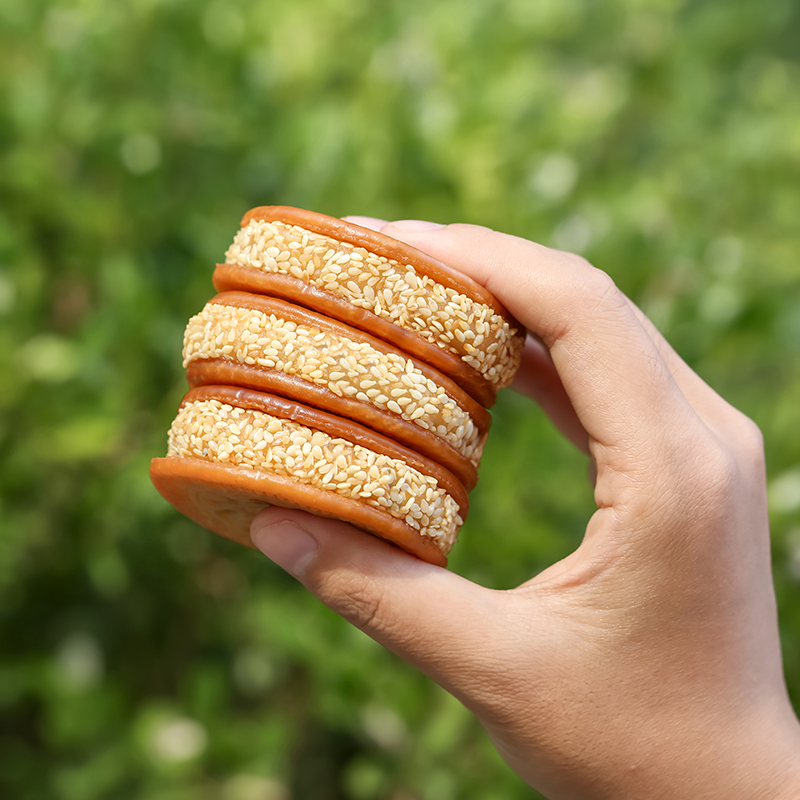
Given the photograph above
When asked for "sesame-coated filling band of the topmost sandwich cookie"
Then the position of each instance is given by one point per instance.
(458, 324)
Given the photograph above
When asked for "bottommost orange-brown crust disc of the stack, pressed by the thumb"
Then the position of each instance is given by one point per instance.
(225, 500)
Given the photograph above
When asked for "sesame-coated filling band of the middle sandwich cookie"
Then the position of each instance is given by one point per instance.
(347, 368)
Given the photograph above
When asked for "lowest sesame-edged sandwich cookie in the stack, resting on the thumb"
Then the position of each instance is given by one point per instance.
(234, 451)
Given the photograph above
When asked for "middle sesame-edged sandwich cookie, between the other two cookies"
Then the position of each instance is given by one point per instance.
(268, 344)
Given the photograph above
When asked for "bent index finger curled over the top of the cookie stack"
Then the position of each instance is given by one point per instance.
(613, 372)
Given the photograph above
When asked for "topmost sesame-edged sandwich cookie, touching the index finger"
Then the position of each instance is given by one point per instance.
(384, 279)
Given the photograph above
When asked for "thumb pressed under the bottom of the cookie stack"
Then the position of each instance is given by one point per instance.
(436, 620)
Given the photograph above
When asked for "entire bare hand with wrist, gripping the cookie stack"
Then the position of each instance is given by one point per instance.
(647, 663)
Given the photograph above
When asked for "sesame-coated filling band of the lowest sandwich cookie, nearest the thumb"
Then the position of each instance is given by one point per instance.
(217, 432)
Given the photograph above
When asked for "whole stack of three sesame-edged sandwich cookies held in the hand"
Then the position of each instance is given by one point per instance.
(342, 372)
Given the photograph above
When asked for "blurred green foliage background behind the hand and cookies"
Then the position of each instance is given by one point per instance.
(141, 657)
